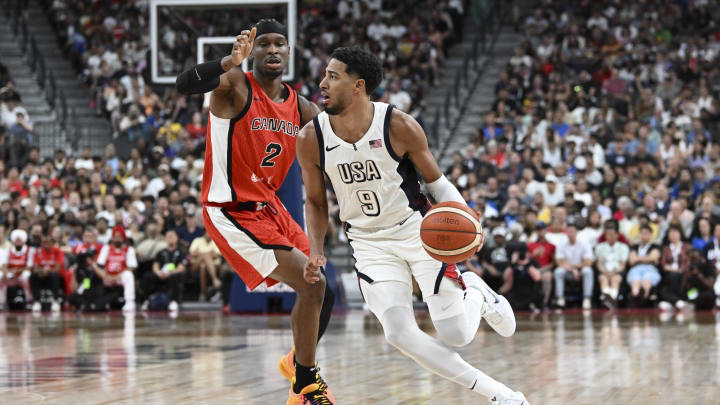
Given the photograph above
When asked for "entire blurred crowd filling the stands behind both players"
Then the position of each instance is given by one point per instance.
(596, 171)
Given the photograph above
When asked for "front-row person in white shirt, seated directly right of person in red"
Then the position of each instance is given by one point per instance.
(574, 259)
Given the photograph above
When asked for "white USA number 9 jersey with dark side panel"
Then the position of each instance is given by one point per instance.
(374, 186)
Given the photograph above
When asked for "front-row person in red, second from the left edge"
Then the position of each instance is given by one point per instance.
(47, 262)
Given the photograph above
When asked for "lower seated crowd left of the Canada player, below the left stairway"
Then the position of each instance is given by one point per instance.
(99, 232)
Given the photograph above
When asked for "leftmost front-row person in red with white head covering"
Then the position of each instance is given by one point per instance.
(16, 265)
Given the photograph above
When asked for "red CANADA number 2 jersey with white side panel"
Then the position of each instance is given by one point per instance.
(248, 157)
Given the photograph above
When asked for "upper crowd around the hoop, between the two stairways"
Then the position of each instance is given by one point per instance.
(108, 44)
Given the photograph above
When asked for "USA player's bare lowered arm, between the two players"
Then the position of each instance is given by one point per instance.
(316, 208)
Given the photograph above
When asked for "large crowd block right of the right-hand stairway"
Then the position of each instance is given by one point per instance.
(599, 162)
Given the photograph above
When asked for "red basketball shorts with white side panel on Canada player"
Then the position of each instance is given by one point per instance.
(248, 239)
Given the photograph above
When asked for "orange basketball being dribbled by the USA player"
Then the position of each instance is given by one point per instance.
(451, 232)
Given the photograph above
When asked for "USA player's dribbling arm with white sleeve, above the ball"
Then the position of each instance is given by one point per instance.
(408, 138)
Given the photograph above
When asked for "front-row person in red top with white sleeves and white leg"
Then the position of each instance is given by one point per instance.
(118, 261)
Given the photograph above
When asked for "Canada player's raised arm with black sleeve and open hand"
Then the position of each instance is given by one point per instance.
(210, 76)
